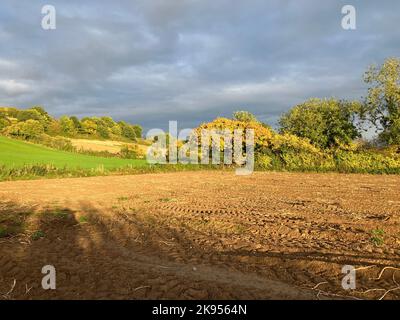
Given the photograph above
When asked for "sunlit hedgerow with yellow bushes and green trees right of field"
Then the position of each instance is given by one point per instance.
(325, 134)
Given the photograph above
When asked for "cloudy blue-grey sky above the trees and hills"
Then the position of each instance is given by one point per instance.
(150, 62)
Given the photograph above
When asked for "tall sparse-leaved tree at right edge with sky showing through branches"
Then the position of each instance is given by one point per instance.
(382, 104)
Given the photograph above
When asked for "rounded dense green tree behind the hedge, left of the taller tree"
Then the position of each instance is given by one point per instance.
(325, 122)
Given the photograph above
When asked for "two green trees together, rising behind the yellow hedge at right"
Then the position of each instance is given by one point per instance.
(331, 123)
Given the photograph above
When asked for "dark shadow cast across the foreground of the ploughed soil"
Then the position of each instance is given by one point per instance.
(123, 255)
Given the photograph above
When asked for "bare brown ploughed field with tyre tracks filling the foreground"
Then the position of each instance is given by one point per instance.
(201, 235)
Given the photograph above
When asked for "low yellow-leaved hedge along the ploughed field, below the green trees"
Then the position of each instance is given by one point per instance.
(286, 151)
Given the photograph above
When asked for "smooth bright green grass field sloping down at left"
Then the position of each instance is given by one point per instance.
(14, 154)
